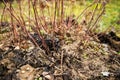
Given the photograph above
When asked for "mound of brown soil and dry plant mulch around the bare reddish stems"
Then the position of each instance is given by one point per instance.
(77, 56)
